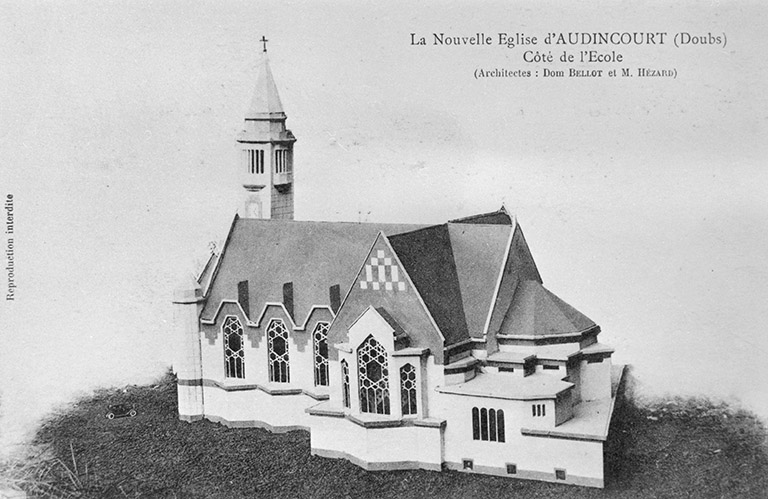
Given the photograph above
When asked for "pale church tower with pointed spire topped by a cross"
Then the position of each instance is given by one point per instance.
(266, 152)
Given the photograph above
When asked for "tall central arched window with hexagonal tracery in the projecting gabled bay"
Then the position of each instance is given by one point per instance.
(373, 375)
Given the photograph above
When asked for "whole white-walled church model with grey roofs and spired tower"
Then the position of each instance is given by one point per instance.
(396, 346)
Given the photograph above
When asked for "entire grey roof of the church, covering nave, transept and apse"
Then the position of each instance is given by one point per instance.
(455, 268)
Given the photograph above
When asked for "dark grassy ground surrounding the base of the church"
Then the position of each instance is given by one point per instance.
(679, 448)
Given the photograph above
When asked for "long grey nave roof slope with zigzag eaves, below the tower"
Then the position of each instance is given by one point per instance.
(311, 255)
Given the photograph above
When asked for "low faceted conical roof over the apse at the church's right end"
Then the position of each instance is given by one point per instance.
(535, 311)
